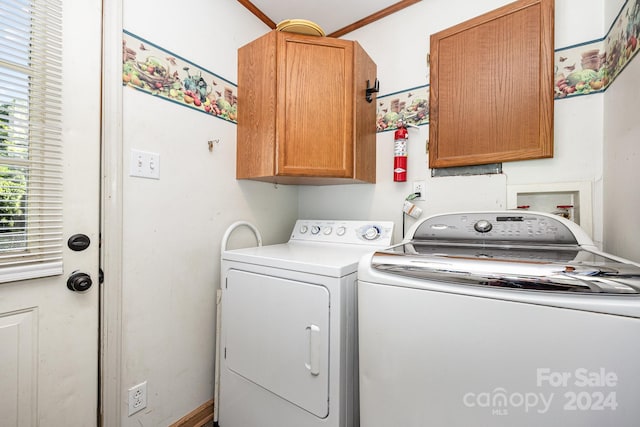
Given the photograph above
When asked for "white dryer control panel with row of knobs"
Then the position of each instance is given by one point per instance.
(378, 233)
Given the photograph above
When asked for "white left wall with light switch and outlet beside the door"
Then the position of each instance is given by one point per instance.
(173, 226)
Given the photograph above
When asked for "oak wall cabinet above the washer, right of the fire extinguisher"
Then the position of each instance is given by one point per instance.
(491, 93)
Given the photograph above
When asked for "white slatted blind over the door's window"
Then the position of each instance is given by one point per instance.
(31, 161)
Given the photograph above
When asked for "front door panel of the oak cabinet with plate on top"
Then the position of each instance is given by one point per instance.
(315, 95)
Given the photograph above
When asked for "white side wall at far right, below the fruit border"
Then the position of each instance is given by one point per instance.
(622, 164)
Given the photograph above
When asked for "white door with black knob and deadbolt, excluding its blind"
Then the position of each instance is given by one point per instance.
(48, 333)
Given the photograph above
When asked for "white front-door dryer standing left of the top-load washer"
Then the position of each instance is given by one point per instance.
(288, 335)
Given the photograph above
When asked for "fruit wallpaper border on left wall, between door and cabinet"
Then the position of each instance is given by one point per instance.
(156, 71)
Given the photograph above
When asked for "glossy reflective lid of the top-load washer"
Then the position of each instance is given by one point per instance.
(554, 268)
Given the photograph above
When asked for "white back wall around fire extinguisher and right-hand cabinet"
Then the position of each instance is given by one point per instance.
(399, 45)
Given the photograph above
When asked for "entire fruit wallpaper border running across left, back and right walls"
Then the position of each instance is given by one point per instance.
(582, 69)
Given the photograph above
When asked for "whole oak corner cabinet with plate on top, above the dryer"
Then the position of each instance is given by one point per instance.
(302, 113)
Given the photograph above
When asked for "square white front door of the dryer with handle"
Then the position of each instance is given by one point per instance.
(277, 336)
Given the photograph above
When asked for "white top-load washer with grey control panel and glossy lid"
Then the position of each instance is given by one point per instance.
(498, 319)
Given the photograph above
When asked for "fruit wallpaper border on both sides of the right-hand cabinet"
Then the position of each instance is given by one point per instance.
(582, 69)
